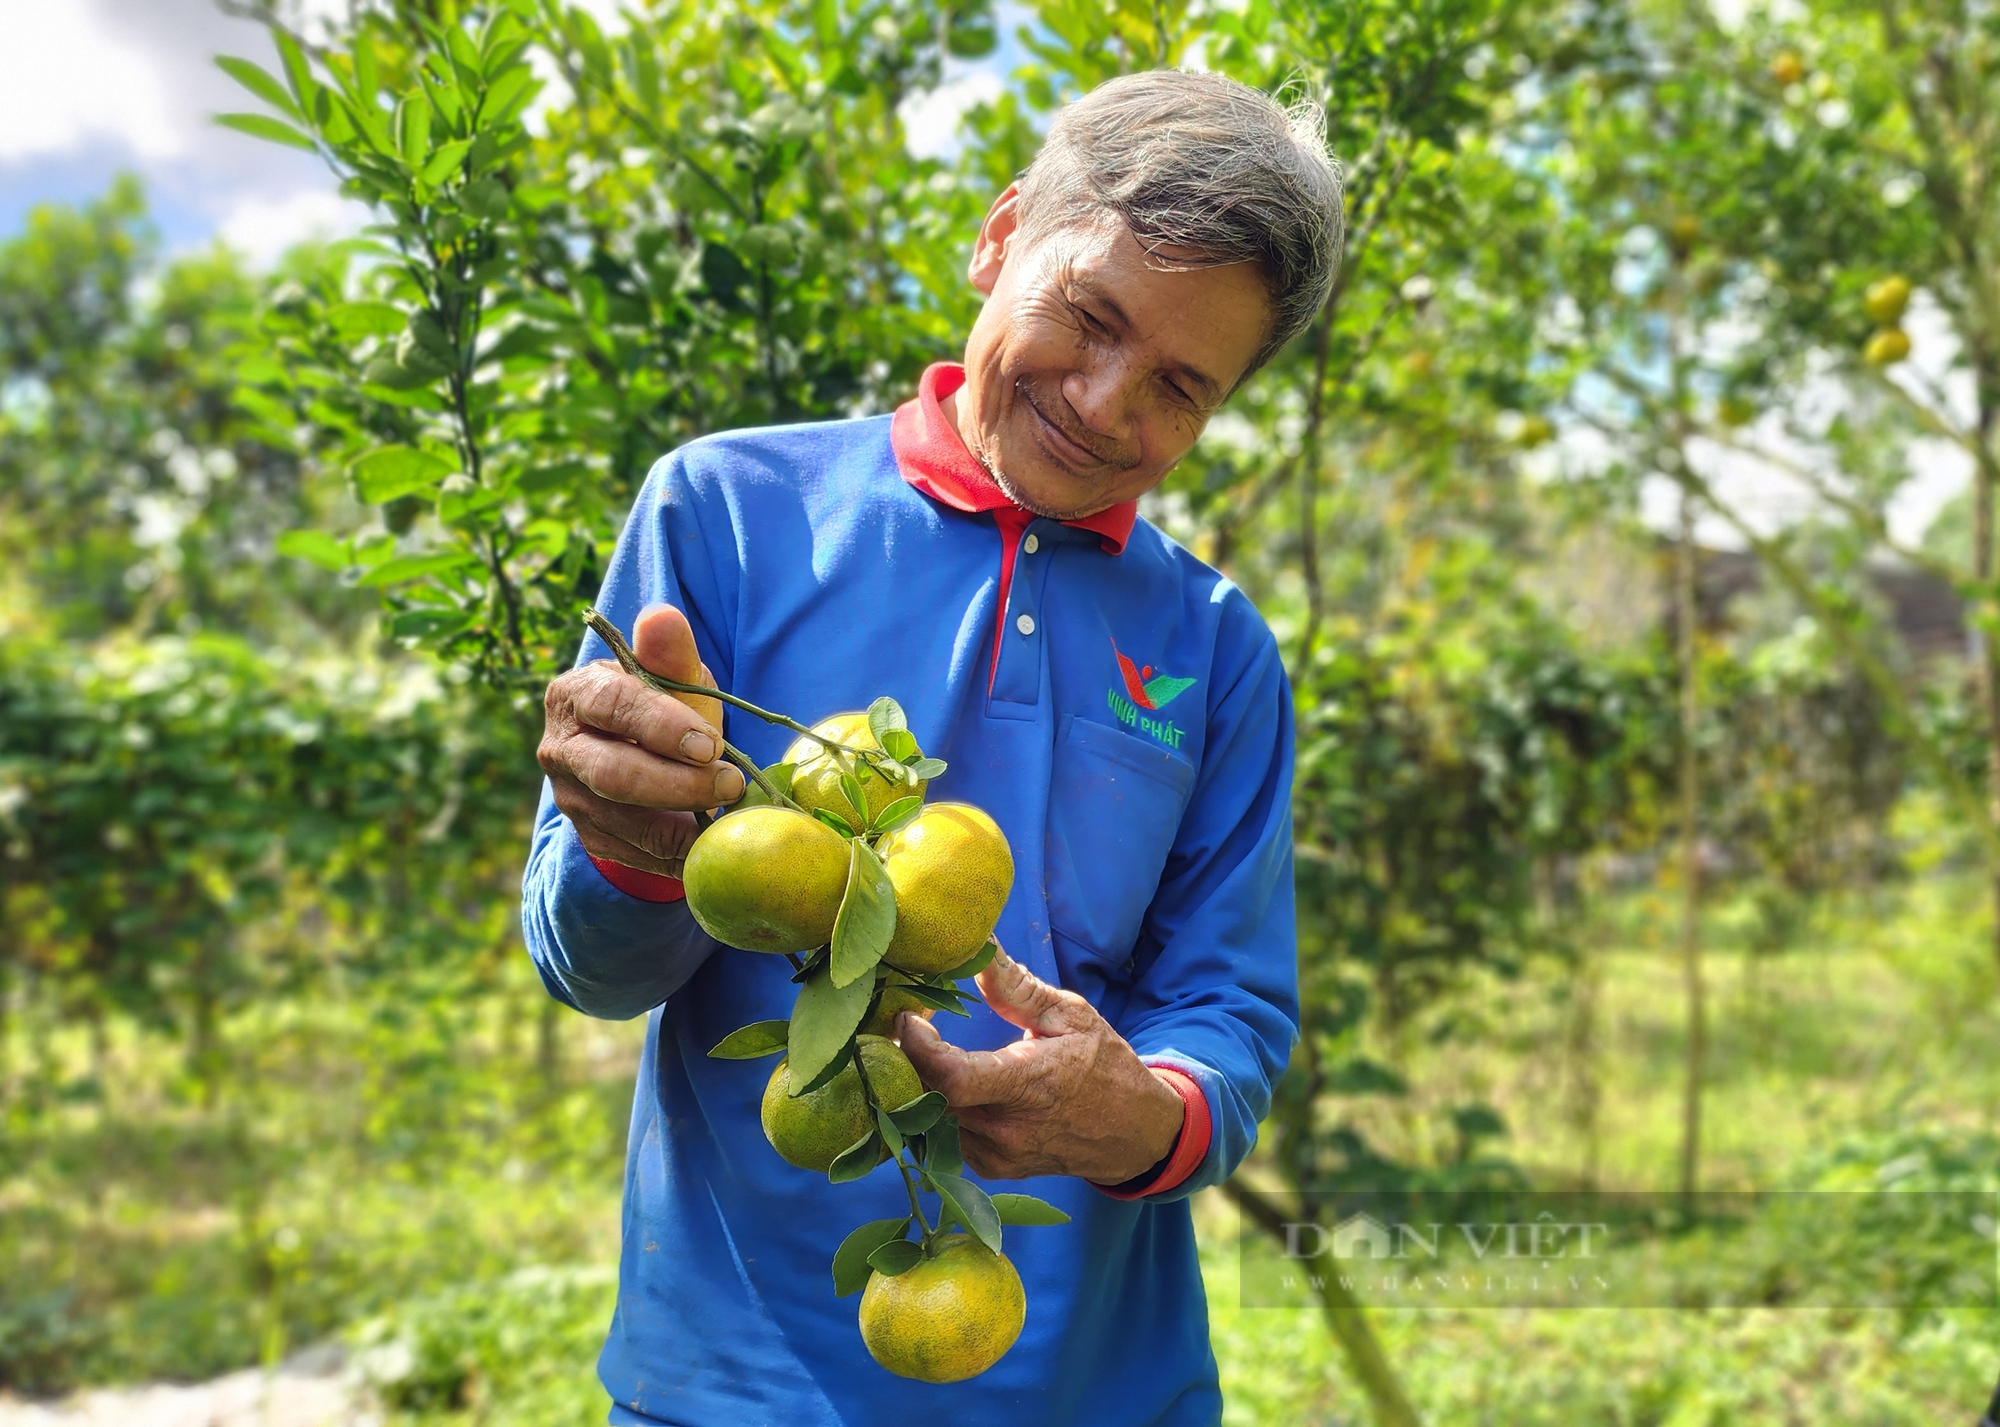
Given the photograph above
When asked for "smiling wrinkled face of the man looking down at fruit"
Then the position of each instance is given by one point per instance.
(1093, 371)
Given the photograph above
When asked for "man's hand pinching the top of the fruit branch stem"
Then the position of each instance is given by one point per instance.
(631, 766)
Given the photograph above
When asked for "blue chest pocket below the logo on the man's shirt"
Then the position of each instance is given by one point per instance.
(1115, 810)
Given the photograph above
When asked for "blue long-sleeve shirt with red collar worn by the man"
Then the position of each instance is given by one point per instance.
(1133, 738)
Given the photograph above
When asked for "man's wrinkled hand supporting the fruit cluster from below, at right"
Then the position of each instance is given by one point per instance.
(1069, 1098)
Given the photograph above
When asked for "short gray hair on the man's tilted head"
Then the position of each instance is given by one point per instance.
(1201, 163)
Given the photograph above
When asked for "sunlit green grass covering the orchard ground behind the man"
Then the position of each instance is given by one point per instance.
(405, 1174)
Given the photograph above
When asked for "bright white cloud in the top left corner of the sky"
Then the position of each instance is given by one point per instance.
(67, 81)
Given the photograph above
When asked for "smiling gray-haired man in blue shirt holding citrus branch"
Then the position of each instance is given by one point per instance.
(1113, 703)
